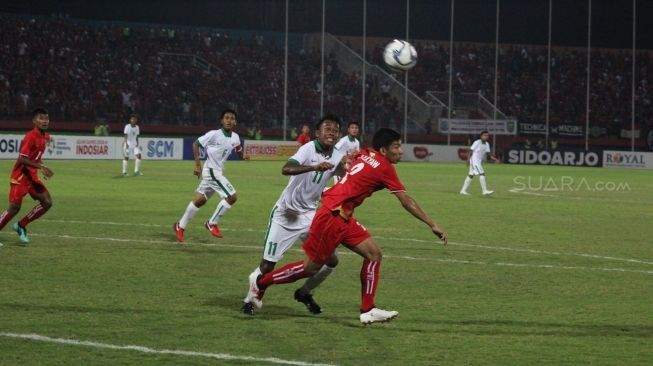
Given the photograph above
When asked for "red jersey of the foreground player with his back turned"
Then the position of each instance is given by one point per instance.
(370, 172)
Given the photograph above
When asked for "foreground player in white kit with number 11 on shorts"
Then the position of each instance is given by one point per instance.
(310, 169)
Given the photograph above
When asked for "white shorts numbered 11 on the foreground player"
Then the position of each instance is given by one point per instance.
(284, 228)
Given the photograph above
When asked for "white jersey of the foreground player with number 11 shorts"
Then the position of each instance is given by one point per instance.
(304, 190)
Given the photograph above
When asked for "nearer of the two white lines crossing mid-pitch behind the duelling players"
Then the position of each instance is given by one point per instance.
(259, 248)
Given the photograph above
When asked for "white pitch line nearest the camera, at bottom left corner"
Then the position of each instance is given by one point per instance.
(217, 356)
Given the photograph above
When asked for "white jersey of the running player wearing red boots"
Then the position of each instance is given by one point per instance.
(218, 145)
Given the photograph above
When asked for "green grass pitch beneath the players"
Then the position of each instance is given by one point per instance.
(555, 268)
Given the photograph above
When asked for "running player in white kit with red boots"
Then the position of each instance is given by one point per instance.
(217, 145)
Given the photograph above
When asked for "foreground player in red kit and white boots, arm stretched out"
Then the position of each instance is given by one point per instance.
(334, 224)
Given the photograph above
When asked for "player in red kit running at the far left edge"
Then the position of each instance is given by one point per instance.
(25, 177)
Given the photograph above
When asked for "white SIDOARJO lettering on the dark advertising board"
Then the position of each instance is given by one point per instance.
(573, 158)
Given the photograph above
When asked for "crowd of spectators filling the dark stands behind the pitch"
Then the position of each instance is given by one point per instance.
(96, 71)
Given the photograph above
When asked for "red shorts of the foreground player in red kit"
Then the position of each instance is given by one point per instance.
(328, 230)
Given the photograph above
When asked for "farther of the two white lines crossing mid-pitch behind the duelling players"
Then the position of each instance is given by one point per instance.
(434, 241)
